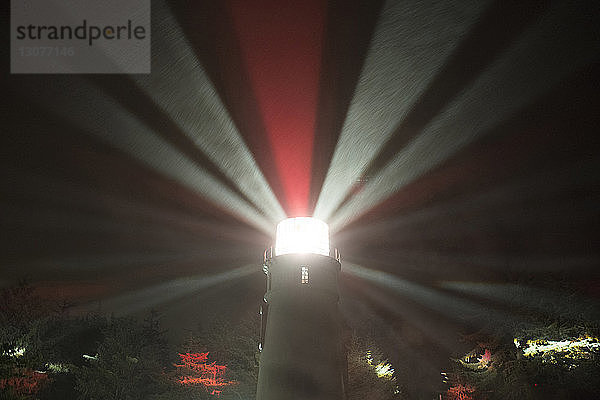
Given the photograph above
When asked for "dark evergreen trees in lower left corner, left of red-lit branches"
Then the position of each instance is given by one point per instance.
(46, 354)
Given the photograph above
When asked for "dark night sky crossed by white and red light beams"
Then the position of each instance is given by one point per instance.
(452, 146)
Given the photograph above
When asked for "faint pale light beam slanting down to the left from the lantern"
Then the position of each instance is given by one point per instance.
(147, 298)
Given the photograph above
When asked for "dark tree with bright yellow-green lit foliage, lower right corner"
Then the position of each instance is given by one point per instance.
(543, 362)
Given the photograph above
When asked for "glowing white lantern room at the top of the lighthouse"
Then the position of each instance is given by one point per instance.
(302, 235)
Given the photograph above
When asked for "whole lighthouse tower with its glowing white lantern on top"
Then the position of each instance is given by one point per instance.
(303, 356)
